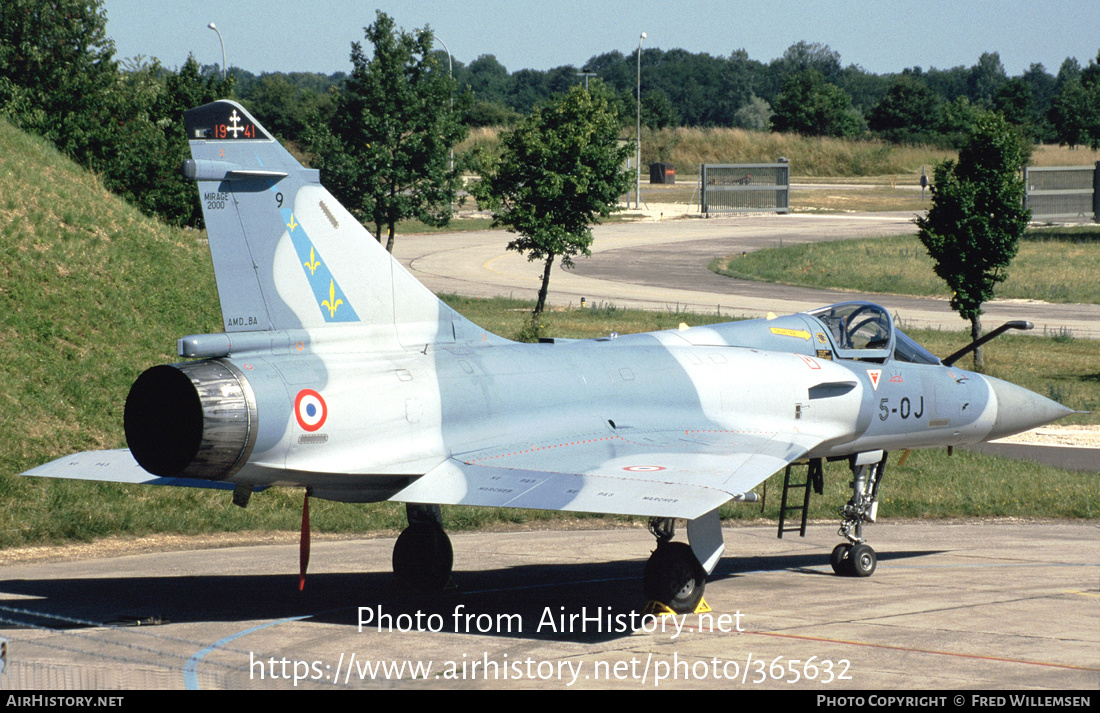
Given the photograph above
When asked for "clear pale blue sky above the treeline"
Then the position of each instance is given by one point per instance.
(883, 37)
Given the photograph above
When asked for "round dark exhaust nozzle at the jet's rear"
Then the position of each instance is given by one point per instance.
(196, 420)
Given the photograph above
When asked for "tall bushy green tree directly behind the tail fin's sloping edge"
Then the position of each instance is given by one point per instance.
(386, 152)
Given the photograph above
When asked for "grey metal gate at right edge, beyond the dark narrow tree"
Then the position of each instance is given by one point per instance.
(1063, 193)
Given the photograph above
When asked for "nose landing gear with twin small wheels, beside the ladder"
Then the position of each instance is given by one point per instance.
(856, 558)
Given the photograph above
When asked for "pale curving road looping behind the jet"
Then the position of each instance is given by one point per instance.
(663, 265)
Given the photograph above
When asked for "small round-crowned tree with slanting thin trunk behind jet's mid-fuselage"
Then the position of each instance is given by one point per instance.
(560, 172)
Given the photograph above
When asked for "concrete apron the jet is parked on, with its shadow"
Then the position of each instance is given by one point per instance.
(952, 606)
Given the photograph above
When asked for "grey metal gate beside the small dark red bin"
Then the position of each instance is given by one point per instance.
(745, 188)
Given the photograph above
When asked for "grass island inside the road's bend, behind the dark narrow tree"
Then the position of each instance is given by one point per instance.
(1054, 265)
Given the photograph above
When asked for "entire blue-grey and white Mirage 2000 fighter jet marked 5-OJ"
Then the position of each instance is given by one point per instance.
(340, 374)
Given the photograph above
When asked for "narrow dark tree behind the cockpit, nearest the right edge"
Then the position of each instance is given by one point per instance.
(973, 231)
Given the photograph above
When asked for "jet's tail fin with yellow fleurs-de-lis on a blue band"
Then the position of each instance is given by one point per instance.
(287, 255)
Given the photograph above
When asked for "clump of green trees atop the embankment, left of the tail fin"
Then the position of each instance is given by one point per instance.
(59, 80)
